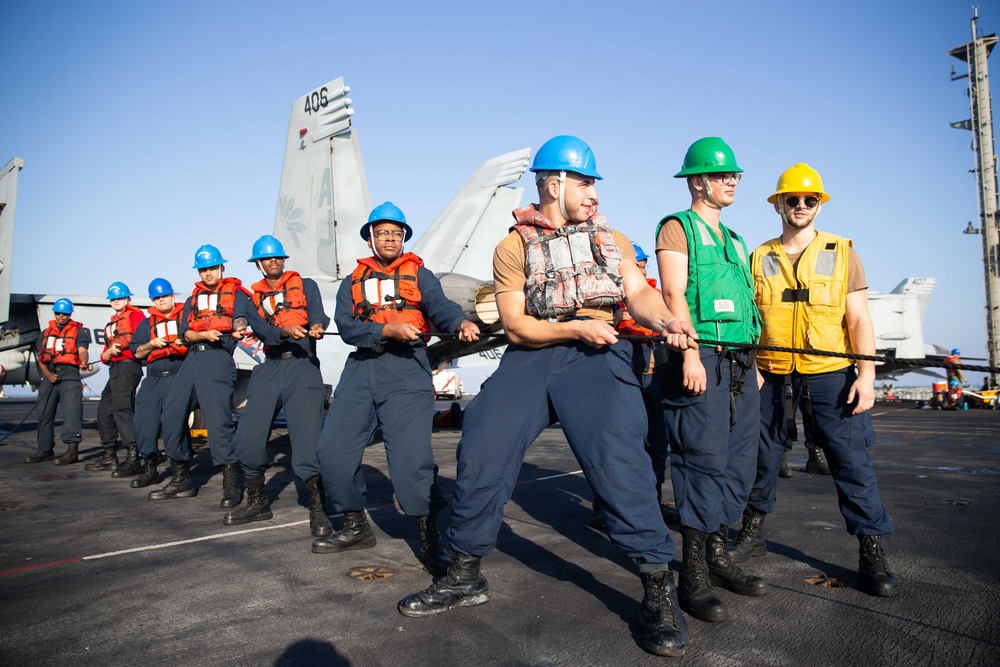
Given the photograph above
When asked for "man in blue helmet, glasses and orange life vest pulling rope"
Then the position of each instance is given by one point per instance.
(387, 310)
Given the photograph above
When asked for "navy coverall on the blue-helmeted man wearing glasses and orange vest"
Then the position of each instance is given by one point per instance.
(393, 385)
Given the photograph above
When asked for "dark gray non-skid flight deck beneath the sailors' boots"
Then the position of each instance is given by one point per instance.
(195, 592)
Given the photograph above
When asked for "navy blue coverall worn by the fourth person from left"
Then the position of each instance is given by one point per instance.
(206, 379)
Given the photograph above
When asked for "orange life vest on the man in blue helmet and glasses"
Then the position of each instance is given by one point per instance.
(388, 295)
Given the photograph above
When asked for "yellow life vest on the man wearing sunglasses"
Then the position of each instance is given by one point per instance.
(803, 307)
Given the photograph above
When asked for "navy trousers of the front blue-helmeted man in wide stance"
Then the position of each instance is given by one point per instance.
(597, 399)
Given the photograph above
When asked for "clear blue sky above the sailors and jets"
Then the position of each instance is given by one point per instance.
(148, 129)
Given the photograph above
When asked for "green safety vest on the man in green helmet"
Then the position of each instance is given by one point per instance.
(719, 292)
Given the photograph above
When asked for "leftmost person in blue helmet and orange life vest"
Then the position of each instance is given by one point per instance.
(61, 355)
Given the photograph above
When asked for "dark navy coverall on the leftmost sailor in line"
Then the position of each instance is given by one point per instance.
(68, 392)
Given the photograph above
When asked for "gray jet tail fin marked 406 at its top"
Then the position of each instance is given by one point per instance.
(323, 198)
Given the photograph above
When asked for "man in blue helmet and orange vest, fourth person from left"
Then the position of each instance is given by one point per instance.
(211, 331)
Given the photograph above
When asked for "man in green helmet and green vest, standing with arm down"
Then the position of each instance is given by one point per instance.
(711, 402)
